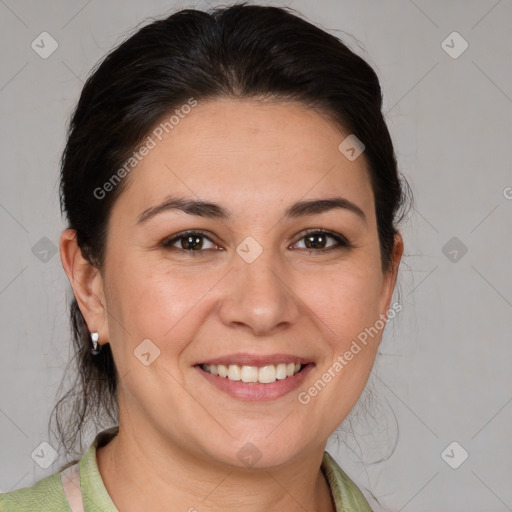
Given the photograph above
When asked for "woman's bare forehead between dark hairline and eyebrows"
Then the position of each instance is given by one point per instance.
(247, 153)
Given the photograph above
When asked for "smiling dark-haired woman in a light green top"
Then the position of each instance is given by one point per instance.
(232, 198)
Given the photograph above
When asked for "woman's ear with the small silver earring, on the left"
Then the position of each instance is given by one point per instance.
(87, 284)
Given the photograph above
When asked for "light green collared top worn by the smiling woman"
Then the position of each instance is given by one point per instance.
(48, 495)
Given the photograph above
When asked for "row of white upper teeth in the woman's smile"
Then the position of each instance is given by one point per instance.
(264, 374)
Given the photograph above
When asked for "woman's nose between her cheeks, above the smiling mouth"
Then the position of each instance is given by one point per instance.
(258, 297)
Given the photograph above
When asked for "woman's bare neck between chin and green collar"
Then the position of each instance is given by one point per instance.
(136, 472)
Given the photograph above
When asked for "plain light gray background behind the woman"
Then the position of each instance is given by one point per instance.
(444, 372)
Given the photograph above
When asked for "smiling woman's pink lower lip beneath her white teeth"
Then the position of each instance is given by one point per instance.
(256, 391)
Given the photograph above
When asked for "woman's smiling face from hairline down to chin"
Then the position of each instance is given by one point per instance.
(254, 285)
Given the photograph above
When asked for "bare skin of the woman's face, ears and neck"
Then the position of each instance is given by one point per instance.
(179, 435)
